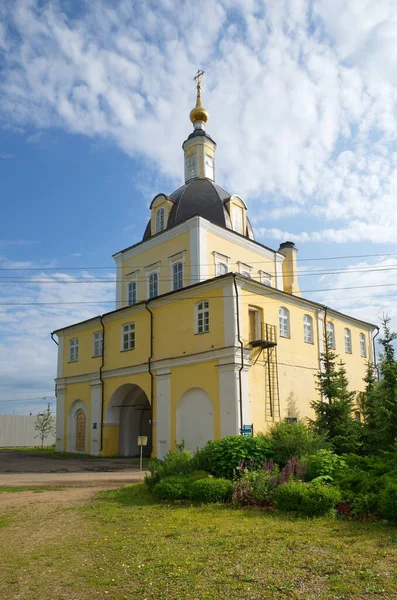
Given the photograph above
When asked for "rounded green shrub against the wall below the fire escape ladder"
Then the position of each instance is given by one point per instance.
(293, 439)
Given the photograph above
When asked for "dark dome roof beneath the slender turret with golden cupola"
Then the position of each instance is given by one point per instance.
(199, 197)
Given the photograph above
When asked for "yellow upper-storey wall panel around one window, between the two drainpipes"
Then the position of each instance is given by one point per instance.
(115, 357)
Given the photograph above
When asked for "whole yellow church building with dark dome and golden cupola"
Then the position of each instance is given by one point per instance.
(211, 333)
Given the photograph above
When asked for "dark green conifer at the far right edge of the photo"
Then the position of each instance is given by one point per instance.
(381, 404)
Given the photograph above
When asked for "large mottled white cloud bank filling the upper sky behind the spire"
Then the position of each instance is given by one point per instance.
(302, 96)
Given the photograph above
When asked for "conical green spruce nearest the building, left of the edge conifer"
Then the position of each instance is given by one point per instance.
(334, 410)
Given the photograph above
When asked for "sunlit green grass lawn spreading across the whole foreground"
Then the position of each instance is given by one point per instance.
(124, 546)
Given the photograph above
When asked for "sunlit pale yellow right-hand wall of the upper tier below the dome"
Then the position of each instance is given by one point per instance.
(216, 243)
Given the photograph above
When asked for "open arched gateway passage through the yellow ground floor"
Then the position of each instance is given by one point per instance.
(130, 409)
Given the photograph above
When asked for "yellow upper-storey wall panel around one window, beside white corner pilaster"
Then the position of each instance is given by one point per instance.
(174, 326)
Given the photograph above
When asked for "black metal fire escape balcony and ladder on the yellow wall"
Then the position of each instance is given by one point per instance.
(266, 350)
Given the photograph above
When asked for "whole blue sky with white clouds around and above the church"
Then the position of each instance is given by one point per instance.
(94, 105)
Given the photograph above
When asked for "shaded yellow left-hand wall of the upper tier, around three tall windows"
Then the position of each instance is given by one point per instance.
(161, 253)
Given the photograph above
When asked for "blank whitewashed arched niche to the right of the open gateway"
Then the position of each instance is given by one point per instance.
(194, 419)
